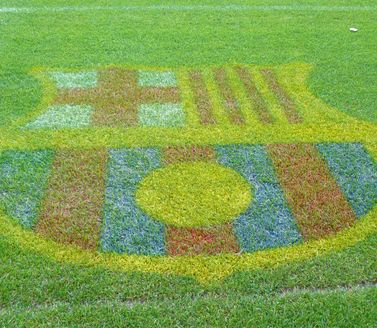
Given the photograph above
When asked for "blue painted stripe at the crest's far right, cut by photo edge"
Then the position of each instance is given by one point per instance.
(355, 172)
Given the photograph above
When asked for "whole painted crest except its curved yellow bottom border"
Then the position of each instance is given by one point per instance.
(112, 197)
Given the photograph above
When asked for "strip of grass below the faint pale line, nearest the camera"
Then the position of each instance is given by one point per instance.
(349, 308)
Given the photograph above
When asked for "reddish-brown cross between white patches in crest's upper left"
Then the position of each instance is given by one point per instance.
(119, 95)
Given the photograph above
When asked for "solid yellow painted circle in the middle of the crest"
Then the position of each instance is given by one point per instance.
(194, 194)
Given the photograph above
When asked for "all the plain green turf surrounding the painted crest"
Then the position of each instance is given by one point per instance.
(36, 291)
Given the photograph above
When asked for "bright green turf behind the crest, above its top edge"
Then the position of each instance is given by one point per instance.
(344, 62)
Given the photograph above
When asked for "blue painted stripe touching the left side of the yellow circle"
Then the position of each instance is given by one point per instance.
(126, 229)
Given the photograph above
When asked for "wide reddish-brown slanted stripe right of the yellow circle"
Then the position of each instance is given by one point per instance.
(318, 204)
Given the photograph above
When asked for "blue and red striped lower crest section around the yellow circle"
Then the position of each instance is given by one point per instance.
(283, 190)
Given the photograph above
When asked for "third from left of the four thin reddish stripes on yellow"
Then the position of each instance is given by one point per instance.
(259, 105)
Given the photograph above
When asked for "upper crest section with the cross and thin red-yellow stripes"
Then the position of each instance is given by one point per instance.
(219, 96)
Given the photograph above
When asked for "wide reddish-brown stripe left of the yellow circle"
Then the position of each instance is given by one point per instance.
(72, 208)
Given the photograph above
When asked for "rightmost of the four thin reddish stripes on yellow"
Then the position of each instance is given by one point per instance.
(283, 97)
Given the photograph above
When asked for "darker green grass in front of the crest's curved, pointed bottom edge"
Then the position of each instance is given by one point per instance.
(32, 287)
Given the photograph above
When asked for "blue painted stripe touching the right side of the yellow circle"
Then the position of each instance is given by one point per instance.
(268, 222)
